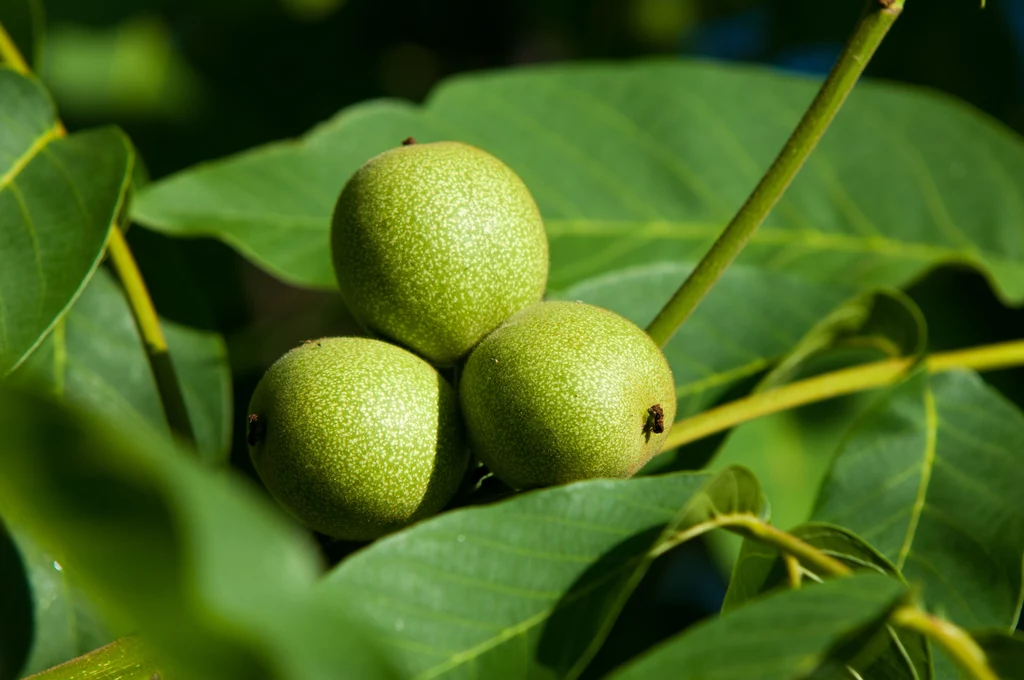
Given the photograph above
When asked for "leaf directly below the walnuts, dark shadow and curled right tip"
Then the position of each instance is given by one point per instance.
(531, 586)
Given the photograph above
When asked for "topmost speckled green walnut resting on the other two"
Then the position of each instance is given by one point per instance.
(436, 245)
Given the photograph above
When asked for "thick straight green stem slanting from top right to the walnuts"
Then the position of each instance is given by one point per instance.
(878, 17)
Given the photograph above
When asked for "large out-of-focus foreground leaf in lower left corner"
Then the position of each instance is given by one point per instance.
(217, 579)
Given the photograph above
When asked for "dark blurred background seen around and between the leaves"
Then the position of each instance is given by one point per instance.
(192, 80)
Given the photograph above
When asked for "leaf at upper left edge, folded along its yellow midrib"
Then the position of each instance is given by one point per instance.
(59, 199)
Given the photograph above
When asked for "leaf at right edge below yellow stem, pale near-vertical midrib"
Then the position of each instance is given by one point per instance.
(931, 478)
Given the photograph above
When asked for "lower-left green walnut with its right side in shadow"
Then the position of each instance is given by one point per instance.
(357, 438)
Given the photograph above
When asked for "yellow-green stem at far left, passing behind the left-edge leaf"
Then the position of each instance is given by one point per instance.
(139, 297)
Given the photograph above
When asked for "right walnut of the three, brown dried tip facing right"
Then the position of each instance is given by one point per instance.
(565, 392)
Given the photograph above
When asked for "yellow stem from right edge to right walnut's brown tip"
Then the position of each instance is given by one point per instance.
(837, 384)
